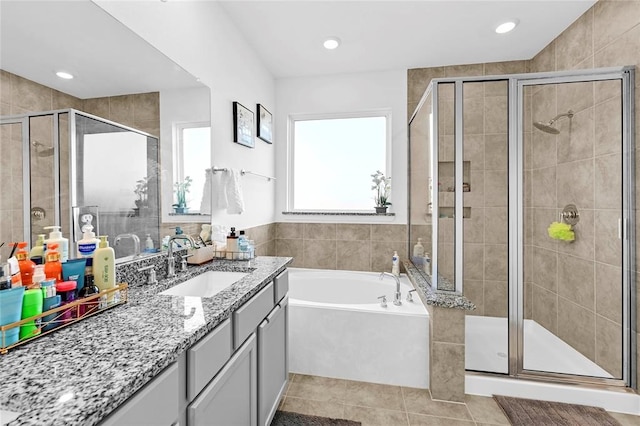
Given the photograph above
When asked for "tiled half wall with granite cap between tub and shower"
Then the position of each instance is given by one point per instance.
(446, 337)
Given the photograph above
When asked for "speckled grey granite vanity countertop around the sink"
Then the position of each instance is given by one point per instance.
(80, 374)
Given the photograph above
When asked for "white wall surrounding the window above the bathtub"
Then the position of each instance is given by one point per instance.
(346, 93)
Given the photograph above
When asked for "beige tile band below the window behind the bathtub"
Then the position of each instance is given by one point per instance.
(354, 247)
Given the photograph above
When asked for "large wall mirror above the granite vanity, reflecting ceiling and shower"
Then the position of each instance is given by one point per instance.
(137, 87)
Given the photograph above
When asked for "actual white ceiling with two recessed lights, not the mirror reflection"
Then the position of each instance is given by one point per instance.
(396, 34)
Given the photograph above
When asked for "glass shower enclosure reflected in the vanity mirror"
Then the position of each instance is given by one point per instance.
(64, 165)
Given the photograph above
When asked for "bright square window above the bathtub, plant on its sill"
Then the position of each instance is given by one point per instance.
(333, 157)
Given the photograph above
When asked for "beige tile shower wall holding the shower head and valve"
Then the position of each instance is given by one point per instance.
(580, 296)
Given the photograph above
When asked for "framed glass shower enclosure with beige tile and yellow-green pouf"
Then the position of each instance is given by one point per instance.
(523, 187)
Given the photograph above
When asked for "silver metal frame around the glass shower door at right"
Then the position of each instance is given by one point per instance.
(516, 223)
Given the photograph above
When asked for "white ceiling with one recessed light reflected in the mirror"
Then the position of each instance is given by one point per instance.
(38, 38)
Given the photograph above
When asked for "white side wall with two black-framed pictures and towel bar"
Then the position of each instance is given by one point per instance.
(200, 37)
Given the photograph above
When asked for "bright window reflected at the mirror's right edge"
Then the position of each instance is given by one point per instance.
(192, 155)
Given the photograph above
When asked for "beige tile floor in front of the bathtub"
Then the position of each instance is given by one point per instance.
(384, 405)
